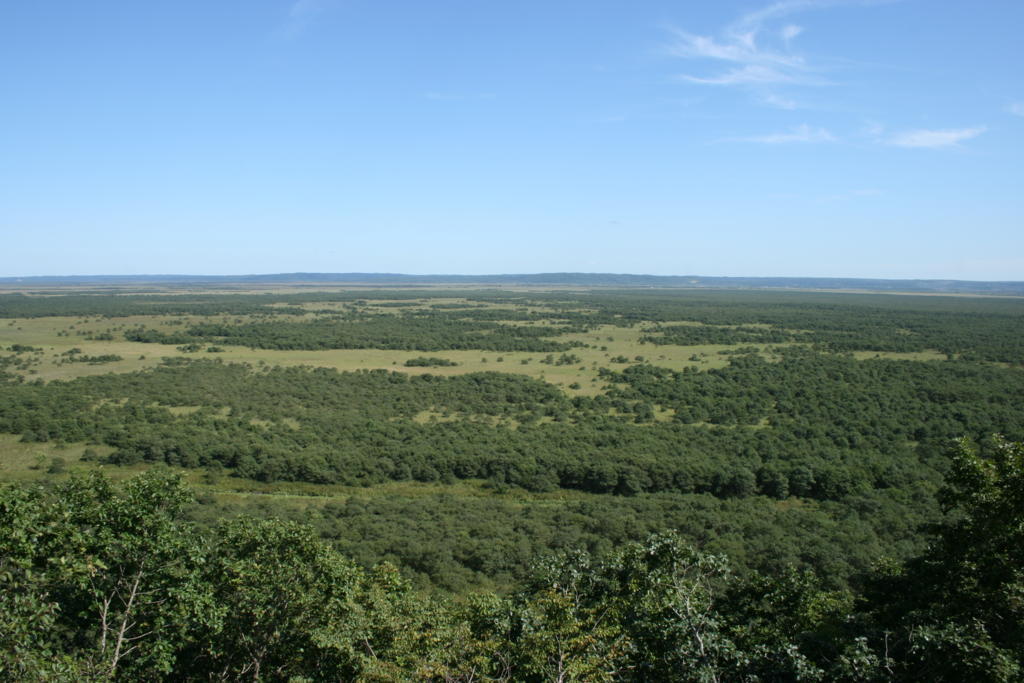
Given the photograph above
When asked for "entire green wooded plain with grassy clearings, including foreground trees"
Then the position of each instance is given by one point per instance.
(511, 485)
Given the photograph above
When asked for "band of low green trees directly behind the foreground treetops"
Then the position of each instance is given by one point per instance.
(459, 544)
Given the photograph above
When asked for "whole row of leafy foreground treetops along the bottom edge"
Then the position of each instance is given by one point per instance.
(105, 583)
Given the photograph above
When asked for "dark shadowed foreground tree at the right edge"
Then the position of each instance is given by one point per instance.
(957, 613)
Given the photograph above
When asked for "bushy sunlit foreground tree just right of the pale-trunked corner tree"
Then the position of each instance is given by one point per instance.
(289, 606)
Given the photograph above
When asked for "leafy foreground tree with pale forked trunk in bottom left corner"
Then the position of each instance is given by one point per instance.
(108, 576)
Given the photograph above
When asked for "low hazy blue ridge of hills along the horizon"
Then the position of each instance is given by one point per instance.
(542, 279)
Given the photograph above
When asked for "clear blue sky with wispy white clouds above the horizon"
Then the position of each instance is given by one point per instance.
(803, 138)
